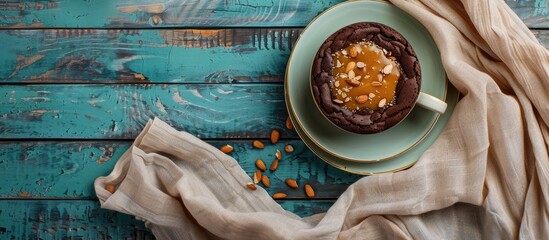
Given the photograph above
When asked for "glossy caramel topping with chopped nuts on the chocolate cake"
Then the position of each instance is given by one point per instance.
(364, 77)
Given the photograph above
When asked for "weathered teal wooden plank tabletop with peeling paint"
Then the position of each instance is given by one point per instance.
(79, 80)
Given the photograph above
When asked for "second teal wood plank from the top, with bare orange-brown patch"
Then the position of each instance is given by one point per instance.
(160, 56)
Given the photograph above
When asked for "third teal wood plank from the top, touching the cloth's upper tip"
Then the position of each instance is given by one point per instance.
(120, 111)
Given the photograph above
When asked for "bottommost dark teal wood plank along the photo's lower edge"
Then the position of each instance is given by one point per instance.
(84, 219)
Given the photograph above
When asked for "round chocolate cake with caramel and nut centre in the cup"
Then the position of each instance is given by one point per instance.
(366, 77)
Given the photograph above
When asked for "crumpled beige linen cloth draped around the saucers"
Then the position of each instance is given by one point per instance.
(487, 175)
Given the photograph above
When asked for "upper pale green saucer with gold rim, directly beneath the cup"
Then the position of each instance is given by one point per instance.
(340, 143)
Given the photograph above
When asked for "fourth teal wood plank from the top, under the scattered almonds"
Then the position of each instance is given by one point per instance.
(66, 170)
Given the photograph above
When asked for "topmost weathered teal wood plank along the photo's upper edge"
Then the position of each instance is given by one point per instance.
(193, 13)
